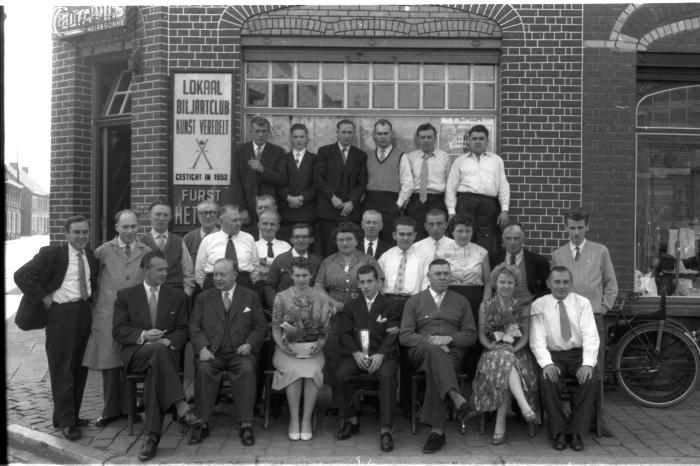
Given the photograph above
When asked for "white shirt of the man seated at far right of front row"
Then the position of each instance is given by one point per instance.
(545, 335)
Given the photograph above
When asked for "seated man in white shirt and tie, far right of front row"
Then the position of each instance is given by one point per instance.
(564, 340)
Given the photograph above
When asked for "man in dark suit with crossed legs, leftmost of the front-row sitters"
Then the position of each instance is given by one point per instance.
(150, 324)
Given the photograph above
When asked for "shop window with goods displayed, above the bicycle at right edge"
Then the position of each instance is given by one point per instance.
(668, 186)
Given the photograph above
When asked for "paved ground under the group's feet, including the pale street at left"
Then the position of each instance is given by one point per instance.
(641, 435)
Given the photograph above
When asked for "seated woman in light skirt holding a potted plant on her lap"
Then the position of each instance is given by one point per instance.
(300, 319)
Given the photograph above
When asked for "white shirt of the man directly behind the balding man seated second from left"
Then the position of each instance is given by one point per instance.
(213, 248)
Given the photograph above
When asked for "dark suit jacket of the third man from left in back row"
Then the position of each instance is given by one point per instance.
(347, 181)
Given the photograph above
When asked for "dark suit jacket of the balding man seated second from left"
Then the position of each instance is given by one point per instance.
(247, 322)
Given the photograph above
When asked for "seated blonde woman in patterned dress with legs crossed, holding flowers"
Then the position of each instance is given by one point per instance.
(506, 367)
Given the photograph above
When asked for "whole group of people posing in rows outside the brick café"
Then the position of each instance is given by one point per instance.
(392, 296)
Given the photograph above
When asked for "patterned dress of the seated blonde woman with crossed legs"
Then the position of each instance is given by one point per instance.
(492, 374)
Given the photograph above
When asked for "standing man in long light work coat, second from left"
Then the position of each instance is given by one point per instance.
(120, 268)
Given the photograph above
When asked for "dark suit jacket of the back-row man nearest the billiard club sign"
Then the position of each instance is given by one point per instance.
(247, 183)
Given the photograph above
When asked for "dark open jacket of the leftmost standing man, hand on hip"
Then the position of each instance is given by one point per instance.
(43, 275)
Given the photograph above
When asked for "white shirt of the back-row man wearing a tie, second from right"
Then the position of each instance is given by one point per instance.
(410, 168)
